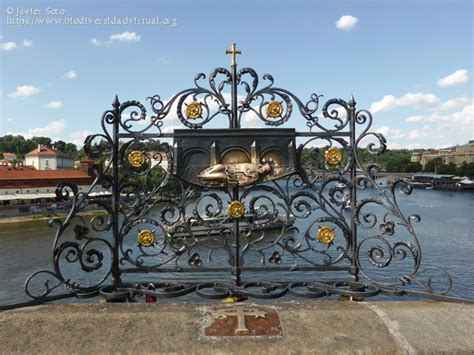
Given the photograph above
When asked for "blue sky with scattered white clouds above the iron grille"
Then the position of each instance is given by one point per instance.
(408, 62)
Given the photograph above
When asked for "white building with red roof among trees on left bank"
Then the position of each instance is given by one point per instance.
(44, 158)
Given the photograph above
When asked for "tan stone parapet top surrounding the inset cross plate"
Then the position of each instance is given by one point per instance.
(325, 327)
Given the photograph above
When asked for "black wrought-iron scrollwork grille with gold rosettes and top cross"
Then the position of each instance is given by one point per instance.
(301, 208)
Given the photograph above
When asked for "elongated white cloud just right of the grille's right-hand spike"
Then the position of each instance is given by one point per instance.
(416, 100)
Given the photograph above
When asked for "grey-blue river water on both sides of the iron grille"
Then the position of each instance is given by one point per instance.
(445, 234)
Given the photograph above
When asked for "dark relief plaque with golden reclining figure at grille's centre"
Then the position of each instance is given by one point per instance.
(224, 158)
